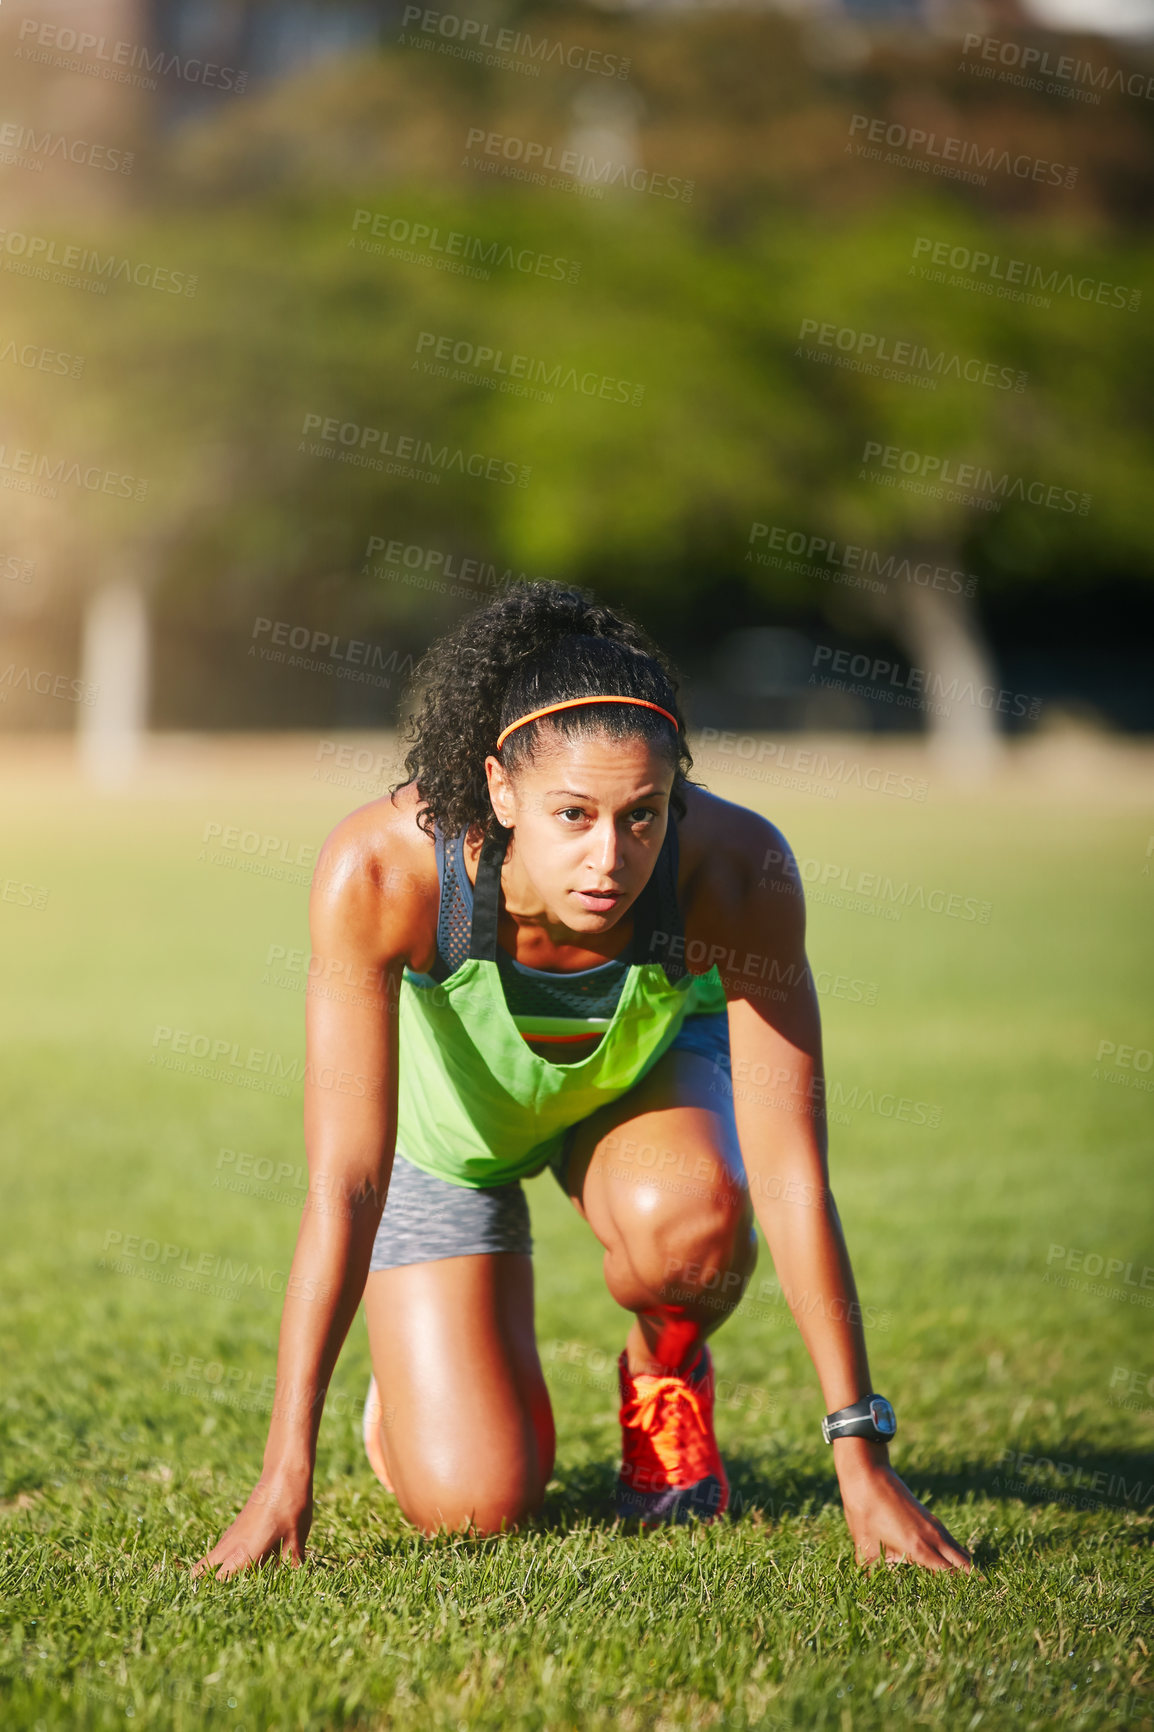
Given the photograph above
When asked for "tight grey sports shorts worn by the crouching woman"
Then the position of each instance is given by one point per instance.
(429, 1218)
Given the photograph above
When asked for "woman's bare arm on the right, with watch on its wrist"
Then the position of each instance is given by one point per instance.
(751, 910)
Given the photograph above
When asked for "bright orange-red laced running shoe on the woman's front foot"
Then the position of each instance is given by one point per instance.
(671, 1468)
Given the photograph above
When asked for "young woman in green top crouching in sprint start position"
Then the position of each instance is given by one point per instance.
(557, 950)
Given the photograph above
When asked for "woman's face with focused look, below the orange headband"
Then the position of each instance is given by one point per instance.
(590, 820)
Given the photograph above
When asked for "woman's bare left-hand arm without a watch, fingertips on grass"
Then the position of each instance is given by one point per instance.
(363, 917)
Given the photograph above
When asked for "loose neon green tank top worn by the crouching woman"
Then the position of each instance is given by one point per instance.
(476, 1104)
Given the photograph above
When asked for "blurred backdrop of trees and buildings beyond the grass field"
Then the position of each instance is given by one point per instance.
(819, 335)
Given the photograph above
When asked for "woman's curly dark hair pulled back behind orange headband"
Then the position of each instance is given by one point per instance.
(536, 645)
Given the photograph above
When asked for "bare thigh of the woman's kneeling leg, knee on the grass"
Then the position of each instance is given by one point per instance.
(469, 1428)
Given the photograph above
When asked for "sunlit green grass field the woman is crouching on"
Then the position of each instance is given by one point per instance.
(134, 1411)
